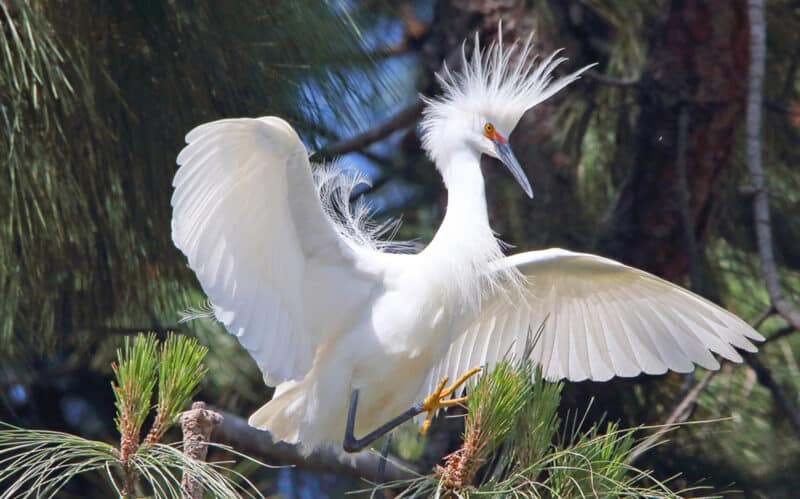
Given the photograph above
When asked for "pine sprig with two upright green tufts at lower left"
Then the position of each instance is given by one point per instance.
(37, 463)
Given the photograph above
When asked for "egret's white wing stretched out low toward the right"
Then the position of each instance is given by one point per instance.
(600, 319)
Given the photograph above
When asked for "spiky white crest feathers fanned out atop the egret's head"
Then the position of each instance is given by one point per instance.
(497, 83)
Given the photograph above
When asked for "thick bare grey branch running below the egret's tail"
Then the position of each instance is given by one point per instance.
(235, 431)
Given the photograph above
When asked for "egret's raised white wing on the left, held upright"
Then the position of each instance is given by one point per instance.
(247, 215)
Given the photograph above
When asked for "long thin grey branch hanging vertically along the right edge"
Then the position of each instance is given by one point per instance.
(758, 35)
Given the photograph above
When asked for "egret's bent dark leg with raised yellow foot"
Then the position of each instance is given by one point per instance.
(431, 404)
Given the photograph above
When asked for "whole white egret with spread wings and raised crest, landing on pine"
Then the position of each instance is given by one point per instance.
(353, 335)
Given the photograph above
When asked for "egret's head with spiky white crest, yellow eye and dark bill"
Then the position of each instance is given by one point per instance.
(482, 102)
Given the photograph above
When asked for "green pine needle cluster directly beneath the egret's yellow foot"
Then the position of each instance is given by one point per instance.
(515, 446)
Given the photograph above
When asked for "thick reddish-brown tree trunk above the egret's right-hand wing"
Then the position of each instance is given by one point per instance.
(697, 64)
